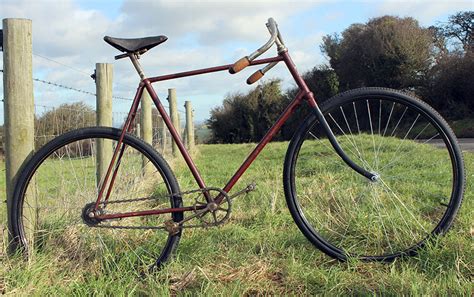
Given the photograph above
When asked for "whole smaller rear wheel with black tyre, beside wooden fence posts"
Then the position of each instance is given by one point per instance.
(75, 150)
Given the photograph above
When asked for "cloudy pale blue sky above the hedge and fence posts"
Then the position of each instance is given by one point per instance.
(68, 41)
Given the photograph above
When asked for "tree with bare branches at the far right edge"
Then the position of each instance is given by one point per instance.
(449, 84)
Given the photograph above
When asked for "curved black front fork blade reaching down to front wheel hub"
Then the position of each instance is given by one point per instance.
(332, 139)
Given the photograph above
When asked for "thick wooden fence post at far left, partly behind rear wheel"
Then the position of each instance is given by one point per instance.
(18, 101)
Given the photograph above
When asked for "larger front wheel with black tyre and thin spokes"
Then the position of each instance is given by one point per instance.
(419, 172)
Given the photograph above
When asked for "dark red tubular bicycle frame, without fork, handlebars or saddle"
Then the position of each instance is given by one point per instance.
(147, 84)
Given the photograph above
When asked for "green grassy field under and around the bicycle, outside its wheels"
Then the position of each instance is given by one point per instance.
(260, 251)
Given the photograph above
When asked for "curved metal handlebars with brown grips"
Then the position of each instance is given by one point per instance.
(245, 61)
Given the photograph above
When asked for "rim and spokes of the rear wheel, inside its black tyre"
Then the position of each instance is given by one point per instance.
(65, 181)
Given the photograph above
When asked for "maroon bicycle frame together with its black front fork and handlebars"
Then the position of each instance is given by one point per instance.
(146, 83)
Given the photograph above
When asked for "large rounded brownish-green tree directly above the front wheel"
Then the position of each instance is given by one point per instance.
(386, 51)
